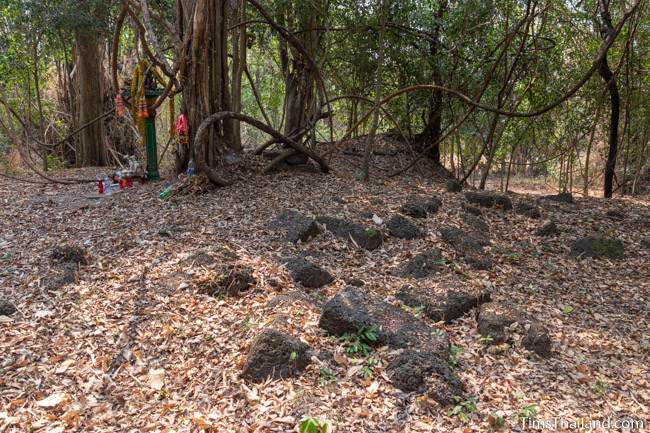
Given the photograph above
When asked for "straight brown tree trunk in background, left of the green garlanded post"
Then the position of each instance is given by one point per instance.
(90, 80)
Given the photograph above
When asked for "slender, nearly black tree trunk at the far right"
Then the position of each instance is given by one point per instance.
(615, 101)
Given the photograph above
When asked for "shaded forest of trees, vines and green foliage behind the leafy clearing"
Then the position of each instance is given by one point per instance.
(553, 89)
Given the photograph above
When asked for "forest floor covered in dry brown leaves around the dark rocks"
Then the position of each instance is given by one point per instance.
(132, 345)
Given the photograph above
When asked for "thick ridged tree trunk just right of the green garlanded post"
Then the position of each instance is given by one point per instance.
(205, 79)
